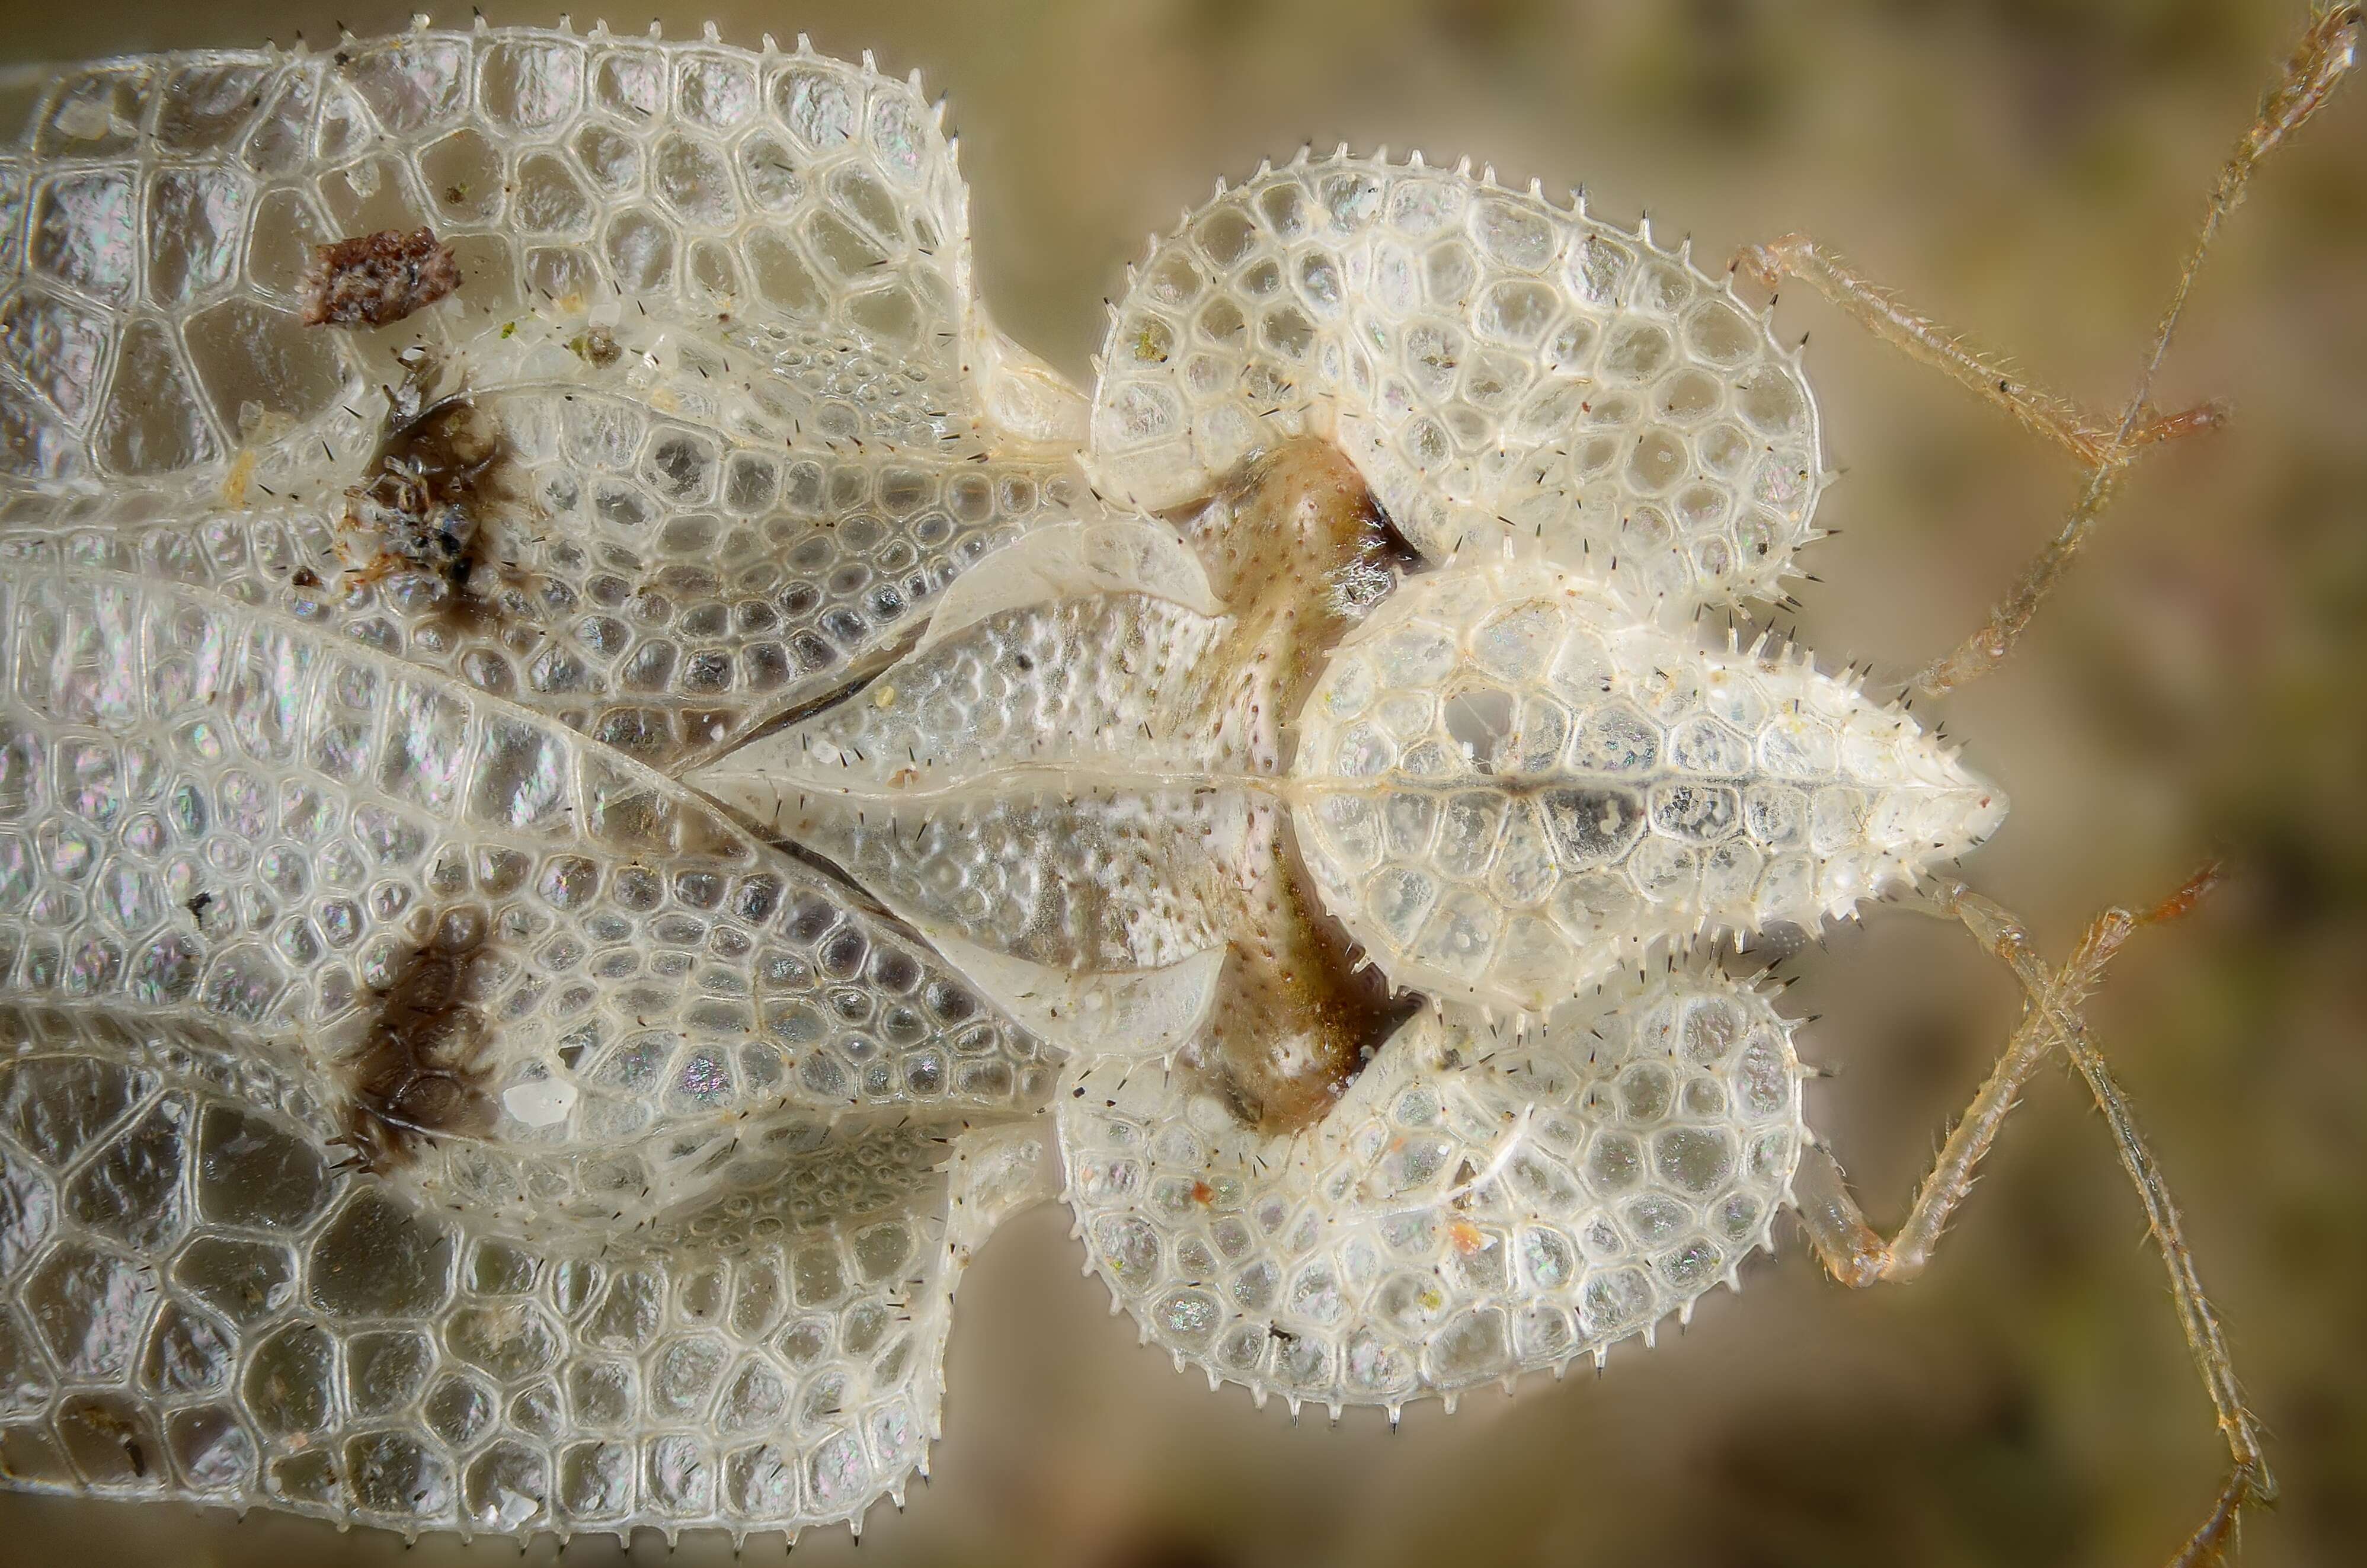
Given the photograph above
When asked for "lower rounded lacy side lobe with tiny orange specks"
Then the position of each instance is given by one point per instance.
(1476, 1204)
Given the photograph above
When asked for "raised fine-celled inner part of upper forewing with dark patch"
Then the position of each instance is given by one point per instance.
(645, 579)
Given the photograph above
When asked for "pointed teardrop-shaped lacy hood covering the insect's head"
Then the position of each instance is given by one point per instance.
(1509, 783)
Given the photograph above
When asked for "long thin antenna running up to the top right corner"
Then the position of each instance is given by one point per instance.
(2321, 60)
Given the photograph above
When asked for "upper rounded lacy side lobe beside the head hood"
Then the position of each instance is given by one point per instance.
(1492, 364)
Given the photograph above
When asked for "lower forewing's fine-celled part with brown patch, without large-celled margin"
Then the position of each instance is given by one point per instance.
(531, 977)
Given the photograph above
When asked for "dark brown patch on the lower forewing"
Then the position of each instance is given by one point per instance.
(420, 1072)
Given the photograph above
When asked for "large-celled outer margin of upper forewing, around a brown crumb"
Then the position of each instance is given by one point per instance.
(162, 217)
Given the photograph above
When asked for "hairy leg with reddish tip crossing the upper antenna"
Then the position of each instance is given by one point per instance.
(1987, 375)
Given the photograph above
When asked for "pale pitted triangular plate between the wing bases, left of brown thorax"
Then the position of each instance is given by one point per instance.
(974, 785)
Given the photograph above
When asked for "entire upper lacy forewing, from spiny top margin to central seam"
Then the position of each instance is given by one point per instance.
(716, 316)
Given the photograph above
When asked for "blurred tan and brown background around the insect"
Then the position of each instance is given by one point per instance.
(2025, 169)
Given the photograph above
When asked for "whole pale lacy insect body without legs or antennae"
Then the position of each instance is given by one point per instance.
(569, 856)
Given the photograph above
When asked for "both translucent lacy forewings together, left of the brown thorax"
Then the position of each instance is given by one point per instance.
(415, 1107)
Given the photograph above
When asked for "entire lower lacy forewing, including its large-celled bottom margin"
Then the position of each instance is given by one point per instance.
(304, 904)
